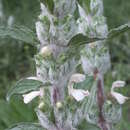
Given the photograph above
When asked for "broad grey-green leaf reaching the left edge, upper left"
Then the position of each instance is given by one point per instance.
(21, 33)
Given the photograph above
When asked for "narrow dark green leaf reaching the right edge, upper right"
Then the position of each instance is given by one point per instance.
(119, 30)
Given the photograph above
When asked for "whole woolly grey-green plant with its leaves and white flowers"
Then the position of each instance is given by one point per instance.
(71, 62)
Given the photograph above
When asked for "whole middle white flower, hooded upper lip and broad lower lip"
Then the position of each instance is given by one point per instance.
(78, 94)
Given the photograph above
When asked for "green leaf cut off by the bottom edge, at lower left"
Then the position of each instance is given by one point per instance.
(26, 126)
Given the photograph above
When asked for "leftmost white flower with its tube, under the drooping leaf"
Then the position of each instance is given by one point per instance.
(30, 96)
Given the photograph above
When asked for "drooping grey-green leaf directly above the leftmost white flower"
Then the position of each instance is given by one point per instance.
(24, 86)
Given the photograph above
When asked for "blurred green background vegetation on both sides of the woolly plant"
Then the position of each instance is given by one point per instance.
(16, 58)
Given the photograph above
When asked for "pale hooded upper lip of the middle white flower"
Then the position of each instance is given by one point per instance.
(76, 78)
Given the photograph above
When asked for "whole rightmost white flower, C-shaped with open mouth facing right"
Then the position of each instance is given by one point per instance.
(119, 97)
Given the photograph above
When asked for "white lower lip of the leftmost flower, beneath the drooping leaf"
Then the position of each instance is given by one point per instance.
(30, 96)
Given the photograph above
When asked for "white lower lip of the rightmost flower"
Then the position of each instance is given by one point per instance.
(119, 97)
